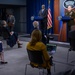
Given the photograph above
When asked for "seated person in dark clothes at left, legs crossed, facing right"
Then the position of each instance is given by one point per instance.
(6, 29)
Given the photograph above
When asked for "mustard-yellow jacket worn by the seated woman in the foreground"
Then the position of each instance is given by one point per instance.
(40, 46)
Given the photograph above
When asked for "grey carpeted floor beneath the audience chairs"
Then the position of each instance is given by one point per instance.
(17, 59)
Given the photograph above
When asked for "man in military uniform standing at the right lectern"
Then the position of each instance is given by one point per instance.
(71, 13)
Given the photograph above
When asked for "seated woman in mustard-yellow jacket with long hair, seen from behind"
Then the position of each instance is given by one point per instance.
(36, 44)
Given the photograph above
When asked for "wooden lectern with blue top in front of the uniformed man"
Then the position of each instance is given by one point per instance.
(63, 31)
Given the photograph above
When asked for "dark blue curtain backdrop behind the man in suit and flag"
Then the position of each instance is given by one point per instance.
(33, 7)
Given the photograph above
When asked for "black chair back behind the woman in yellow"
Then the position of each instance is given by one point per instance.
(35, 56)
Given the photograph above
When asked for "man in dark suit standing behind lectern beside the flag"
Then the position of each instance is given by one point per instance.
(43, 23)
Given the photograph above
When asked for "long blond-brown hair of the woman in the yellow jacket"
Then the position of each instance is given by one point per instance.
(36, 36)
